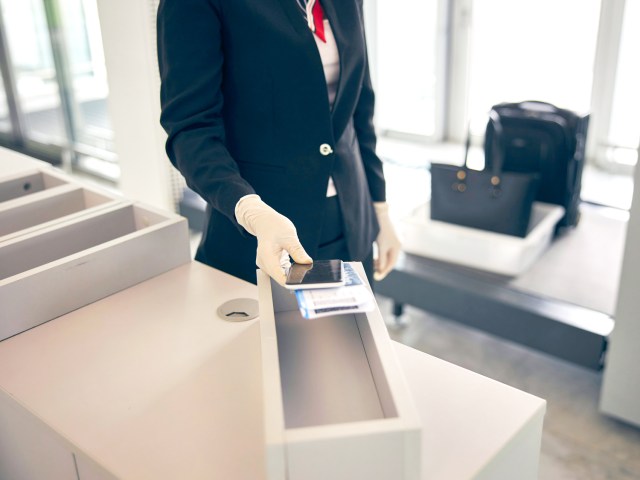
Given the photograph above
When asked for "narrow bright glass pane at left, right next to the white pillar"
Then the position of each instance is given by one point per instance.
(87, 73)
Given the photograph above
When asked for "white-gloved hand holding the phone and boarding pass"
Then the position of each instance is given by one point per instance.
(276, 234)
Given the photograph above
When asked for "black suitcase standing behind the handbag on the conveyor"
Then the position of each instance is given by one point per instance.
(542, 138)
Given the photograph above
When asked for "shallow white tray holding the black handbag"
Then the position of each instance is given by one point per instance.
(481, 249)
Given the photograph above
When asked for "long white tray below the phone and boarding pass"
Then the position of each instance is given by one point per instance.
(336, 402)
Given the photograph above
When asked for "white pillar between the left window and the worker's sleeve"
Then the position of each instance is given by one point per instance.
(128, 35)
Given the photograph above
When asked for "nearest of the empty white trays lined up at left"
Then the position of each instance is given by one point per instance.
(54, 270)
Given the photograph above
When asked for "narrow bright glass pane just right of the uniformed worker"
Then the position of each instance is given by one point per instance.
(406, 66)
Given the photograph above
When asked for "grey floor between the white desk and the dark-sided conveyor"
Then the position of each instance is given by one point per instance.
(578, 442)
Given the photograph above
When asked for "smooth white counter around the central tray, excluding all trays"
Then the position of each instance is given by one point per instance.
(150, 384)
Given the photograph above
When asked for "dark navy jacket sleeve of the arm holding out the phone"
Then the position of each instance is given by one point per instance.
(190, 56)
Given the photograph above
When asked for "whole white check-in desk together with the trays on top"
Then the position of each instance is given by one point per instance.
(114, 363)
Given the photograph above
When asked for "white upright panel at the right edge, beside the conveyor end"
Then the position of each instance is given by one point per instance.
(621, 388)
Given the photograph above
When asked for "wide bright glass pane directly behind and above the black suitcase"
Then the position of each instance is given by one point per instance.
(542, 50)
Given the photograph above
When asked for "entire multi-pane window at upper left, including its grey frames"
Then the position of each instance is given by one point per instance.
(58, 83)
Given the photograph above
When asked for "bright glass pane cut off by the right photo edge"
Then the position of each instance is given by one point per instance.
(625, 118)
